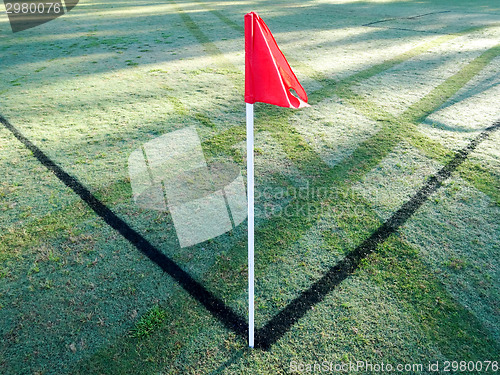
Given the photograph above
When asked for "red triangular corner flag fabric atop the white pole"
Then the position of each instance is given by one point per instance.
(268, 76)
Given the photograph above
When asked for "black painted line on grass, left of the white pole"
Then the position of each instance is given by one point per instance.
(214, 305)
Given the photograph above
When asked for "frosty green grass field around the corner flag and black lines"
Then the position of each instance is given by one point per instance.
(397, 89)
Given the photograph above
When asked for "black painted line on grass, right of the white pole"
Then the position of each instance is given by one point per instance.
(286, 318)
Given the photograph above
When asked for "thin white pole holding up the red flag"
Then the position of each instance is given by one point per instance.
(250, 192)
